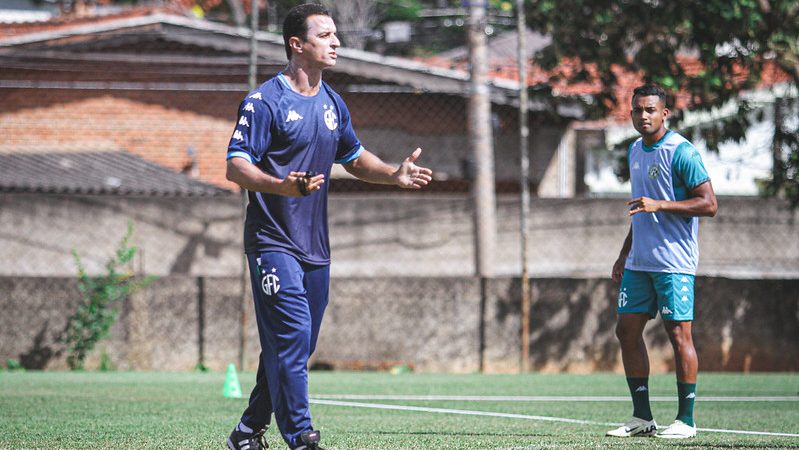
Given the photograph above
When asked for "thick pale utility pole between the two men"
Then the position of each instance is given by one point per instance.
(481, 142)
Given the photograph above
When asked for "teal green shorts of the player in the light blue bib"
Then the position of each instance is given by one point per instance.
(670, 294)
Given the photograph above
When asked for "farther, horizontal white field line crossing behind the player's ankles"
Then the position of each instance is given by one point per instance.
(546, 398)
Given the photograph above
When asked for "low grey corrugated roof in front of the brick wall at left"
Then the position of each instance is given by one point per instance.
(99, 173)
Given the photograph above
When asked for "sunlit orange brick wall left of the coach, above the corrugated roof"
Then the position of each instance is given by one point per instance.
(159, 126)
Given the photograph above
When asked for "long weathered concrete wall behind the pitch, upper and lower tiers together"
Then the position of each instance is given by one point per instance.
(403, 289)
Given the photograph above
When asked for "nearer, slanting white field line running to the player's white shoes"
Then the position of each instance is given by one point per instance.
(514, 416)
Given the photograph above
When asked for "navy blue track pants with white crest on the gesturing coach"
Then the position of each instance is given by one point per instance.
(290, 300)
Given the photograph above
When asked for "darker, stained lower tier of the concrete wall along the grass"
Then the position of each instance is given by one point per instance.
(432, 324)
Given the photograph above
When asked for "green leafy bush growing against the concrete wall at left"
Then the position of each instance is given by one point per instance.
(97, 311)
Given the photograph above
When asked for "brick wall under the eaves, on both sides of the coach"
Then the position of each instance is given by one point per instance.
(162, 125)
